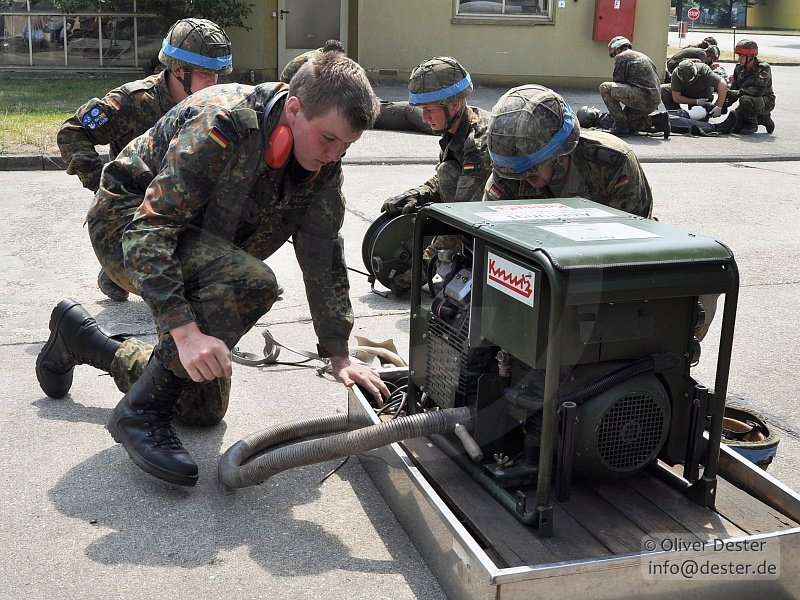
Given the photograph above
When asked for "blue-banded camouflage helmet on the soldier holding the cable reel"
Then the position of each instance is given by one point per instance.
(440, 80)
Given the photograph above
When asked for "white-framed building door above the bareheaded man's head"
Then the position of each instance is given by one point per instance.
(305, 25)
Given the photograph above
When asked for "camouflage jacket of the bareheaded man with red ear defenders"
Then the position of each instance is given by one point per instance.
(202, 166)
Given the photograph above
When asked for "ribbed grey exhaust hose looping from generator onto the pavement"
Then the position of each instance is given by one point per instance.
(235, 471)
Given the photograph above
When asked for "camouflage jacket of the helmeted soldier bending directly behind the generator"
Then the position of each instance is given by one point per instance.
(602, 168)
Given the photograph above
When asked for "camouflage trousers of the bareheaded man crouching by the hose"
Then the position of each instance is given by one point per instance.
(228, 289)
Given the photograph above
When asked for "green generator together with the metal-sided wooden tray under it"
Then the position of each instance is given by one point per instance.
(570, 327)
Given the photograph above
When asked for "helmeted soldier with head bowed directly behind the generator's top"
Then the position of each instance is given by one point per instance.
(538, 150)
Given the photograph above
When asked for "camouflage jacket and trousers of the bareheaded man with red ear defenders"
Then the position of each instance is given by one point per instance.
(186, 215)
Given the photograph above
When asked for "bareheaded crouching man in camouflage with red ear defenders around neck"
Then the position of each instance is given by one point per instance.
(185, 217)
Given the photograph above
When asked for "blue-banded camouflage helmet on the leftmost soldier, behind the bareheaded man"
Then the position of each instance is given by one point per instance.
(197, 44)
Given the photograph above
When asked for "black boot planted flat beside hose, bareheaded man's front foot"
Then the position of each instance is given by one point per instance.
(141, 423)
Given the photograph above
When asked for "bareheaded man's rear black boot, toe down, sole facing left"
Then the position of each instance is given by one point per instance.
(75, 339)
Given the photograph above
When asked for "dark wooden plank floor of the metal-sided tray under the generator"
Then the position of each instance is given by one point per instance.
(600, 520)
